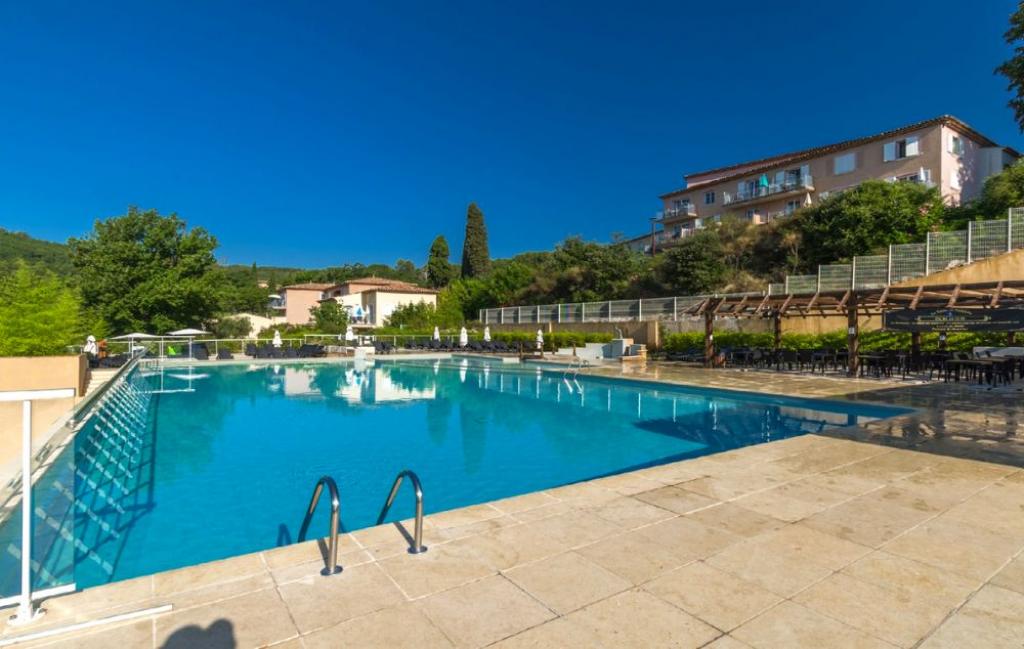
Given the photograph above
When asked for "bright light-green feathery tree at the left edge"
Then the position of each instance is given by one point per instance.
(39, 315)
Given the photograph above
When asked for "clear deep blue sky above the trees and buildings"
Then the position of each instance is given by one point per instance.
(309, 135)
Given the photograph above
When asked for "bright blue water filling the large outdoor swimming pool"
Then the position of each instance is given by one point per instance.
(180, 469)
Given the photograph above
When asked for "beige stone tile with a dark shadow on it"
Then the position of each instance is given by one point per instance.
(255, 620)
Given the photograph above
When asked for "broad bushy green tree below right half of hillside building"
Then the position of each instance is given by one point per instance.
(866, 221)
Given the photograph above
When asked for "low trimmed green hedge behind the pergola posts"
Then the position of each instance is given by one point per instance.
(870, 341)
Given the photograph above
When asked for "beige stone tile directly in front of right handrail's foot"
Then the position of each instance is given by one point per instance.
(440, 569)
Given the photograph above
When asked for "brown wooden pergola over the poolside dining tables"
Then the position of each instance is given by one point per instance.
(857, 302)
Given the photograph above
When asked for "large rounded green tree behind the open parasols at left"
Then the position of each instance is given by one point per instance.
(147, 272)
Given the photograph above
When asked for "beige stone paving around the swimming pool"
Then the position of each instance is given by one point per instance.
(893, 536)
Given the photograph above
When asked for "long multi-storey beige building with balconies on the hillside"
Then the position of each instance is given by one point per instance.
(944, 153)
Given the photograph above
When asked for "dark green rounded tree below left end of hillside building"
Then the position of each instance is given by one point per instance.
(696, 266)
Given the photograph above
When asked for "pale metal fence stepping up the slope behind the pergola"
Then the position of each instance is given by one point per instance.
(905, 262)
